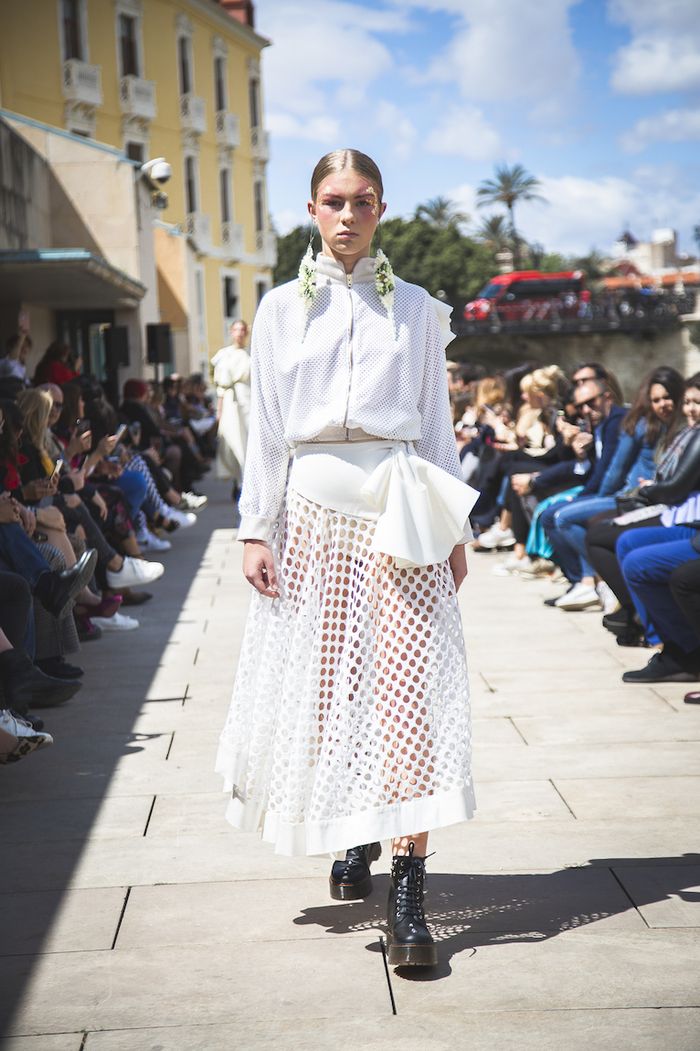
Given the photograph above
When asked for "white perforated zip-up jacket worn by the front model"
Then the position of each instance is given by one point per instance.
(345, 367)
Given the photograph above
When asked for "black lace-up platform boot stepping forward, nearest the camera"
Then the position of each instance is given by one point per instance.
(409, 942)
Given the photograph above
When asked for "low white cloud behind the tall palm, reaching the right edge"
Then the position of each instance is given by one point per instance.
(585, 213)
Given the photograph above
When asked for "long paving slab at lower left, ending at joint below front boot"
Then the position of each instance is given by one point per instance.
(197, 984)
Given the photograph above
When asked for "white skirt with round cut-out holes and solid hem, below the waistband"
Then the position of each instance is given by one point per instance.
(351, 717)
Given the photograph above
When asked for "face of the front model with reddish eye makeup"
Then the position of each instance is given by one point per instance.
(347, 211)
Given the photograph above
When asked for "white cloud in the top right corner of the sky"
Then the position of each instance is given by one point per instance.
(665, 52)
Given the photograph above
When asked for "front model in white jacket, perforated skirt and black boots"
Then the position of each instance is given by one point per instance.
(351, 723)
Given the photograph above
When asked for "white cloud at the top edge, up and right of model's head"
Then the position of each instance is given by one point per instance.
(509, 51)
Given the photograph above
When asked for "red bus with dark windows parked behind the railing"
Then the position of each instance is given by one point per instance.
(528, 296)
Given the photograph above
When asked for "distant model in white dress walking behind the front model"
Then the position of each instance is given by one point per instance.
(232, 376)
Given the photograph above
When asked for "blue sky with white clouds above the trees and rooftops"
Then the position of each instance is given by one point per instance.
(601, 99)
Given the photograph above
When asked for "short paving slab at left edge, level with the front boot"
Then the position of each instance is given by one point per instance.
(60, 921)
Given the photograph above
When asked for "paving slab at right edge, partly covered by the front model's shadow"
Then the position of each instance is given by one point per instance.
(668, 897)
